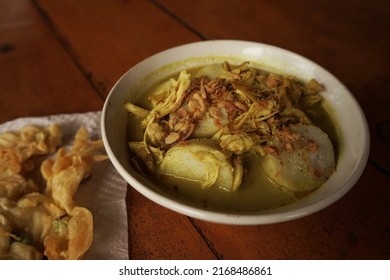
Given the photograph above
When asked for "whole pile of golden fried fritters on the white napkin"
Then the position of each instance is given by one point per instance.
(34, 224)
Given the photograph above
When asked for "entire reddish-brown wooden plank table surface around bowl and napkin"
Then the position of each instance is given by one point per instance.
(63, 56)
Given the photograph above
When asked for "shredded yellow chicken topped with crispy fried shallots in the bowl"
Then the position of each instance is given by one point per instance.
(243, 109)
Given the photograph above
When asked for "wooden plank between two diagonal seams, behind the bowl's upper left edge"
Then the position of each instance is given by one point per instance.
(108, 39)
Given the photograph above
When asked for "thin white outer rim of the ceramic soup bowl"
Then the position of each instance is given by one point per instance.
(264, 217)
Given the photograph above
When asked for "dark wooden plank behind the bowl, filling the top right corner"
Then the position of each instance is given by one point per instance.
(345, 37)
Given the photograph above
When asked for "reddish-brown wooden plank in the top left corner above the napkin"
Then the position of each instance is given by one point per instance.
(37, 76)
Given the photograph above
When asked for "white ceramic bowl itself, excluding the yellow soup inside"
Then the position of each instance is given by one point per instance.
(349, 116)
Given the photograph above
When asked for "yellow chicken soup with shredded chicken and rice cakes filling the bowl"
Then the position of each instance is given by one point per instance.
(234, 137)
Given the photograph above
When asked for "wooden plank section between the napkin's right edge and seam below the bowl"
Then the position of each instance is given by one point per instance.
(158, 233)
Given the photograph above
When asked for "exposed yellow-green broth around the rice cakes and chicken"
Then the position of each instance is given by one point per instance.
(256, 192)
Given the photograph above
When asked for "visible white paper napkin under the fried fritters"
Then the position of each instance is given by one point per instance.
(103, 194)
